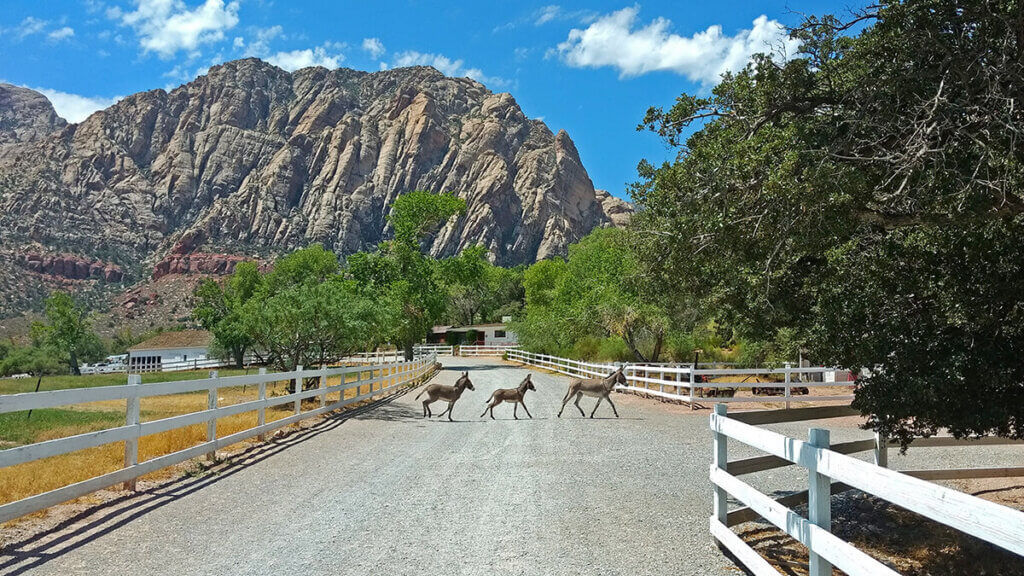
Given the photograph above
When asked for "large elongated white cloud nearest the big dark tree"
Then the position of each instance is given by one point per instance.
(613, 40)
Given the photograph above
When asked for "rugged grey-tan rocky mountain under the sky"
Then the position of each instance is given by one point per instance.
(252, 161)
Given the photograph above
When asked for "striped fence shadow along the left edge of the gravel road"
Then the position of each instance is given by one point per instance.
(37, 549)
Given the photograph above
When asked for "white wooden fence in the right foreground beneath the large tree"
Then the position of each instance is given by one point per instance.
(826, 463)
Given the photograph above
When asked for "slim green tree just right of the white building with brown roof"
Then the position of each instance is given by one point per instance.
(220, 309)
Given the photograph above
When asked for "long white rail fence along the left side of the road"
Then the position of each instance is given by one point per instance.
(375, 380)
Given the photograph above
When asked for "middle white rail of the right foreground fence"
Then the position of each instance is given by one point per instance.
(842, 555)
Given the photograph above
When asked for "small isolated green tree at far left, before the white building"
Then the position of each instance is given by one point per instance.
(68, 332)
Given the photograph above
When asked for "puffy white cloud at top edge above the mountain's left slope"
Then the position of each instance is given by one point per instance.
(166, 27)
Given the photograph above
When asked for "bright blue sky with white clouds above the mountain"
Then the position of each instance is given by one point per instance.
(590, 69)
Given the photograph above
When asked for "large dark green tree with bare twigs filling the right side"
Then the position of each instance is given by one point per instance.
(868, 195)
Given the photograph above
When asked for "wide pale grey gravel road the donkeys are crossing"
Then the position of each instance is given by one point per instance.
(390, 492)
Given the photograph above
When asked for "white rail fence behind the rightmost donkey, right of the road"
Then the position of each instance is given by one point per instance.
(687, 385)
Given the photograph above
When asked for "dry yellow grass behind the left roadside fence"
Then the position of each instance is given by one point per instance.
(50, 474)
